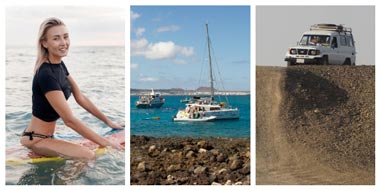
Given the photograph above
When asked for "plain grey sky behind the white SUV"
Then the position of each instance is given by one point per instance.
(280, 27)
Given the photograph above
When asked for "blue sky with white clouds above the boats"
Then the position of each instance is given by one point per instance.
(169, 47)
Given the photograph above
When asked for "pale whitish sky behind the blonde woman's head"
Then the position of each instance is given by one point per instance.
(88, 26)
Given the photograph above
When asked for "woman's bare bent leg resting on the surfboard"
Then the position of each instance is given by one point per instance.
(55, 147)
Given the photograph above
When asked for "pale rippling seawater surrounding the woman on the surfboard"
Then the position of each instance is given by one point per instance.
(99, 72)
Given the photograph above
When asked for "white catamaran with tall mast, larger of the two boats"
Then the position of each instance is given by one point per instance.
(207, 109)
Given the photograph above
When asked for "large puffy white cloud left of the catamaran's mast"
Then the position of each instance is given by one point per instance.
(159, 50)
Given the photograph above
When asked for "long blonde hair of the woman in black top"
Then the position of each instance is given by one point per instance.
(42, 52)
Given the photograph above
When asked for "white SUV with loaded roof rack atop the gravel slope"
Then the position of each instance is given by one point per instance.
(324, 44)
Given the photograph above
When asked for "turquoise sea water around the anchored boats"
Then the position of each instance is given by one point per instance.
(143, 124)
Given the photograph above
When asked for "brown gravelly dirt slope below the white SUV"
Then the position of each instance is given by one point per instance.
(315, 125)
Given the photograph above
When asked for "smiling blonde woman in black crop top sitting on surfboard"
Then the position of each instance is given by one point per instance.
(52, 86)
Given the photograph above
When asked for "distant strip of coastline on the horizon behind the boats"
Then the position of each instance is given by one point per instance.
(202, 91)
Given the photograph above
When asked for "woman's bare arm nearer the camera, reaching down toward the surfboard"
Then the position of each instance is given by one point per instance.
(58, 102)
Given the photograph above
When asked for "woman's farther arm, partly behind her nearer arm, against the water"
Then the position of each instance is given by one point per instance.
(86, 103)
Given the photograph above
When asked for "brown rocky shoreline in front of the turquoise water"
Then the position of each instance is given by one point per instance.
(189, 161)
